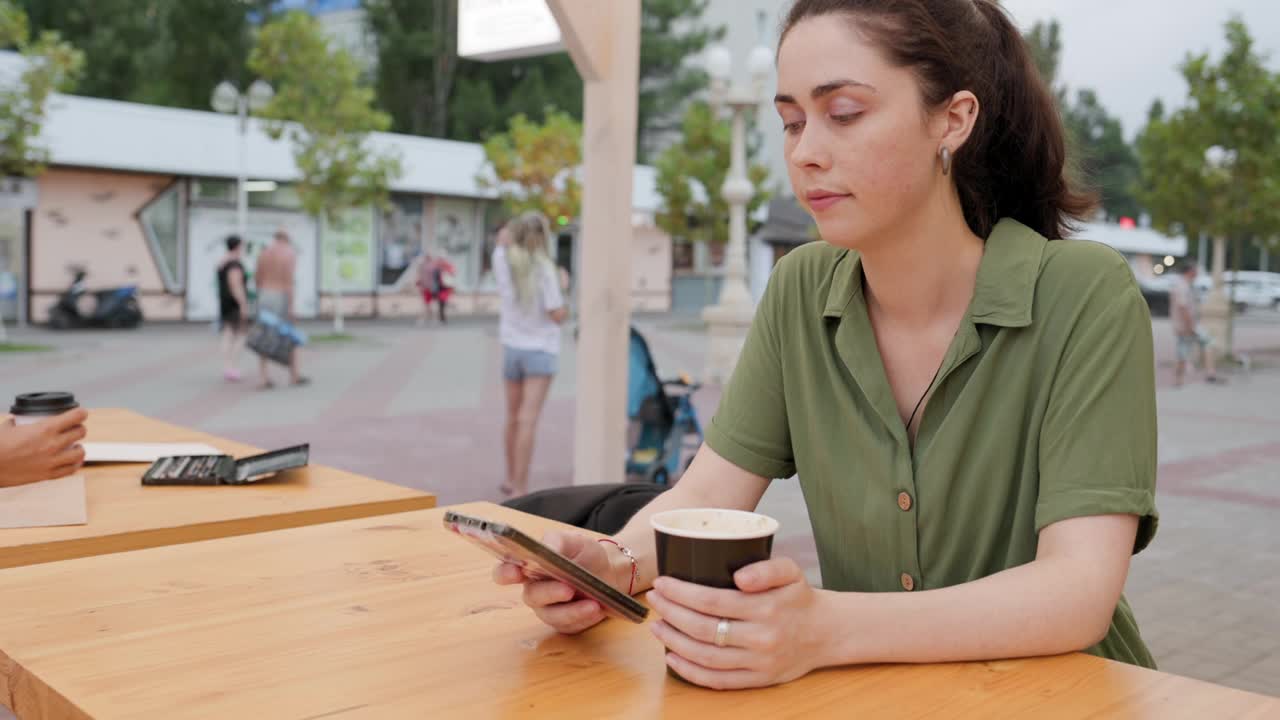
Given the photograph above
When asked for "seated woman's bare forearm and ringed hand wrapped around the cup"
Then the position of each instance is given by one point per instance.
(783, 628)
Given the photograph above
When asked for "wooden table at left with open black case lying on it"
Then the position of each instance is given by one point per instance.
(126, 516)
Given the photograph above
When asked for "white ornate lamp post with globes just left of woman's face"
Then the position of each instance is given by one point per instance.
(730, 318)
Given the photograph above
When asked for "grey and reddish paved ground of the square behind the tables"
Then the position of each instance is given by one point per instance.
(423, 408)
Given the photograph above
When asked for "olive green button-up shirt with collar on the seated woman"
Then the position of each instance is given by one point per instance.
(1044, 409)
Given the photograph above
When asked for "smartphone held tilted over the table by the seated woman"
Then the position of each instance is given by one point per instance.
(541, 562)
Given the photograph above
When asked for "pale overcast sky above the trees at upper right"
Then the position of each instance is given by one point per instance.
(1130, 51)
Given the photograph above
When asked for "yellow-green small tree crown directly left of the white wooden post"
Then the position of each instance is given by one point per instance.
(534, 166)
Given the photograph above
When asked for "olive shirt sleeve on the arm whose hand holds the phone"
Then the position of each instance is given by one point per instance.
(751, 427)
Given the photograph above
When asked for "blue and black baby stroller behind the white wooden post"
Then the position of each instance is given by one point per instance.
(664, 423)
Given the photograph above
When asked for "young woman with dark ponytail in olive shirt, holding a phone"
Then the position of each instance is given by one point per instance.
(968, 400)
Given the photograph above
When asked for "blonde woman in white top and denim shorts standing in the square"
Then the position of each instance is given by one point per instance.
(533, 311)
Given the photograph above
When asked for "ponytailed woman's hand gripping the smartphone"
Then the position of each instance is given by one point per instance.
(555, 603)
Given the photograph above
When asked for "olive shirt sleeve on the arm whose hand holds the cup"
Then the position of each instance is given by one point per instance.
(1098, 453)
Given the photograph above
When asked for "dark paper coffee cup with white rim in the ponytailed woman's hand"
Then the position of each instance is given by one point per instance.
(707, 546)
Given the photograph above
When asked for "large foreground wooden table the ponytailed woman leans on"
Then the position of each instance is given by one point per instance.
(395, 618)
